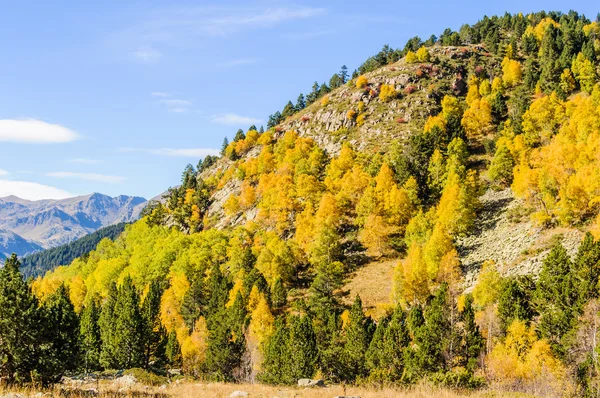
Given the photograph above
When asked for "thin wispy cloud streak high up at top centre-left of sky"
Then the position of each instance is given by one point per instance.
(186, 27)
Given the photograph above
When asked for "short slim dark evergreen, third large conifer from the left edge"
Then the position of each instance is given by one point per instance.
(89, 336)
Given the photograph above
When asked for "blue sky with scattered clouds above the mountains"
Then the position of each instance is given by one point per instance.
(117, 97)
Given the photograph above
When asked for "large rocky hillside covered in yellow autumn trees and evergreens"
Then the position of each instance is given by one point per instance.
(435, 217)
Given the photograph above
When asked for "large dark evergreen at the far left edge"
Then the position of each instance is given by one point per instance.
(19, 325)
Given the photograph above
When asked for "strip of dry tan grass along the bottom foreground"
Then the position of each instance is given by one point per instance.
(216, 390)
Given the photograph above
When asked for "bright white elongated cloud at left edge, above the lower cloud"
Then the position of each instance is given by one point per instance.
(33, 131)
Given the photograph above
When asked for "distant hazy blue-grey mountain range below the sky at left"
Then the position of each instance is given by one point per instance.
(30, 226)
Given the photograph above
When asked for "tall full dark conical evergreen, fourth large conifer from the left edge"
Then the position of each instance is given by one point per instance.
(128, 327)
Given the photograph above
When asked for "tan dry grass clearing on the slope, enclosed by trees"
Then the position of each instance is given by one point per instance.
(373, 283)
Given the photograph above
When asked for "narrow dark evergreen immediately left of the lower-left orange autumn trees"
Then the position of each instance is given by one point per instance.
(154, 336)
